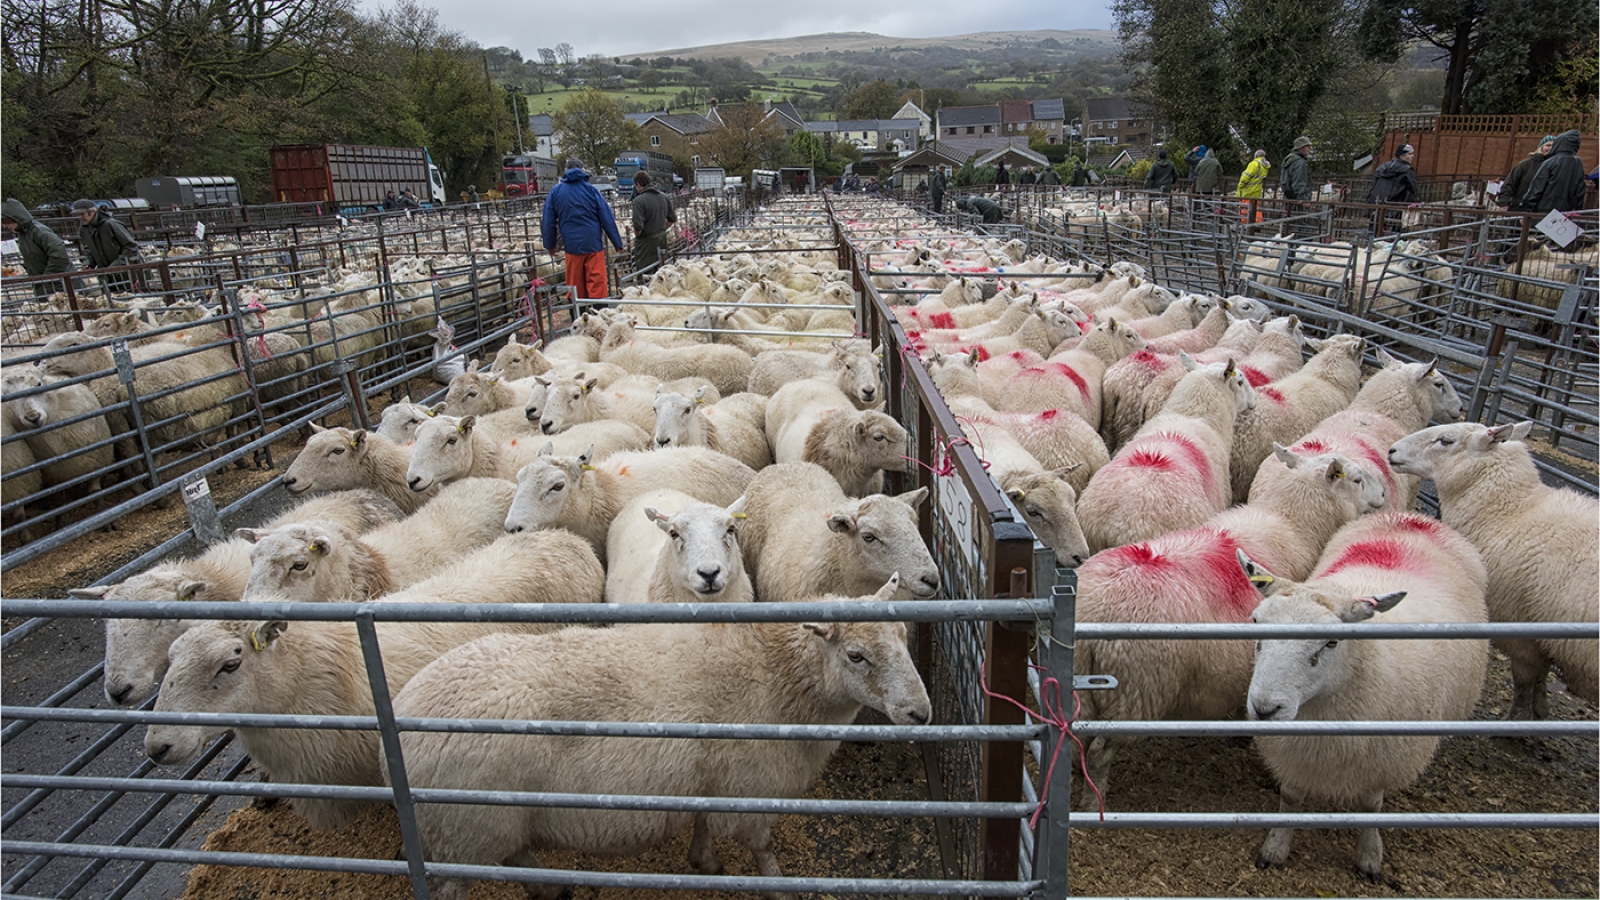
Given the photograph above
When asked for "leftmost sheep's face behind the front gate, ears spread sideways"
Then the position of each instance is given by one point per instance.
(137, 648)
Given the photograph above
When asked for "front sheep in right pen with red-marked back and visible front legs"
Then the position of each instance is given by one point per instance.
(1370, 568)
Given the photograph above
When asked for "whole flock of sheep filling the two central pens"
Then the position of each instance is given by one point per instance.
(719, 438)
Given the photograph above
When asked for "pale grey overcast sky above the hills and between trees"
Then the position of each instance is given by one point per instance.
(633, 30)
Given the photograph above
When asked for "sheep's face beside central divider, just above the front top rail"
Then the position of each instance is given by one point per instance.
(884, 540)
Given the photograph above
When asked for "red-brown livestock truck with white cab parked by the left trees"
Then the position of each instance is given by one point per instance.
(353, 179)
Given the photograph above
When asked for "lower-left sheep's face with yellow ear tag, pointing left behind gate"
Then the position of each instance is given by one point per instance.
(217, 667)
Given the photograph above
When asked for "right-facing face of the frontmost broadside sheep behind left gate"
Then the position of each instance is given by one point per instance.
(870, 662)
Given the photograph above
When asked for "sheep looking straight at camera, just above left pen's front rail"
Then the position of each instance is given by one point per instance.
(670, 548)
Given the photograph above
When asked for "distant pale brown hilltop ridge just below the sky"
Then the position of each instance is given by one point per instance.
(761, 52)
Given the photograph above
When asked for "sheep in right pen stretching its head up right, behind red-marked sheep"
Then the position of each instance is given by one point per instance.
(1289, 409)
